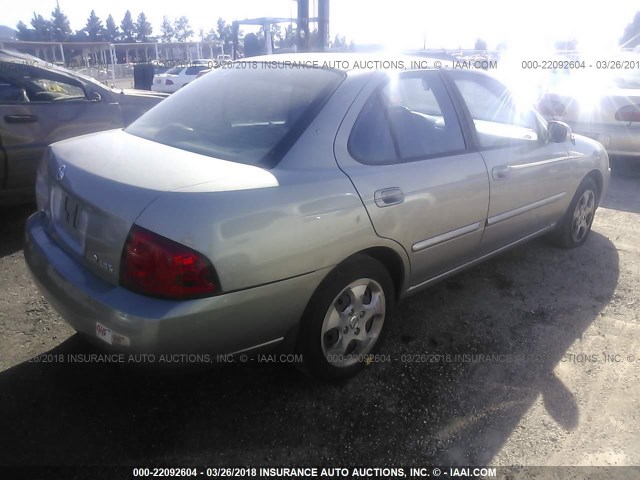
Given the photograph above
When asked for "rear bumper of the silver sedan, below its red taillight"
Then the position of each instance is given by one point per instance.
(224, 324)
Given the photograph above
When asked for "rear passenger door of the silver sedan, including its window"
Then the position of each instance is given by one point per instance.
(402, 146)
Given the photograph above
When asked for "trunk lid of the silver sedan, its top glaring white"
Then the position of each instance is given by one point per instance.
(97, 185)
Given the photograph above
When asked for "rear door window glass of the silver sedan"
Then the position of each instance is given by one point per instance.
(410, 118)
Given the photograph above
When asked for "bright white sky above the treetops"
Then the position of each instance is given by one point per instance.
(398, 23)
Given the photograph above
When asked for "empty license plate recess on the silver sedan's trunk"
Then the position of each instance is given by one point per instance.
(70, 218)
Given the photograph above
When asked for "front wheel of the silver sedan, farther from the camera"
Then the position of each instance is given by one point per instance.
(575, 225)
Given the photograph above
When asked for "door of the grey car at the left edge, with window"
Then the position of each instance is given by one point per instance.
(48, 107)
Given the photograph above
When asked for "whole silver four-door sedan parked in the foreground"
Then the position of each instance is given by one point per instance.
(280, 203)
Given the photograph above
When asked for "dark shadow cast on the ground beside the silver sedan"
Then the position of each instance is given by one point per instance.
(465, 360)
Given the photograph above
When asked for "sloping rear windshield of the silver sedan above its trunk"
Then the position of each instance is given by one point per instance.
(246, 115)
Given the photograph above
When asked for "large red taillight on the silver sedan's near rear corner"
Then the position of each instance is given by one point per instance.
(158, 267)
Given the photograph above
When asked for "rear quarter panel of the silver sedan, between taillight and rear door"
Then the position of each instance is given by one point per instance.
(313, 218)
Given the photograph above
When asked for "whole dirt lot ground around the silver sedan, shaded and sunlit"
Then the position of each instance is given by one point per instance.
(532, 359)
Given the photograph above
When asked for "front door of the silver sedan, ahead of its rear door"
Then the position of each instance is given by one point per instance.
(528, 174)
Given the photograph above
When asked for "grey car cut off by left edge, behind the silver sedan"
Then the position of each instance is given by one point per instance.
(42, 104)
